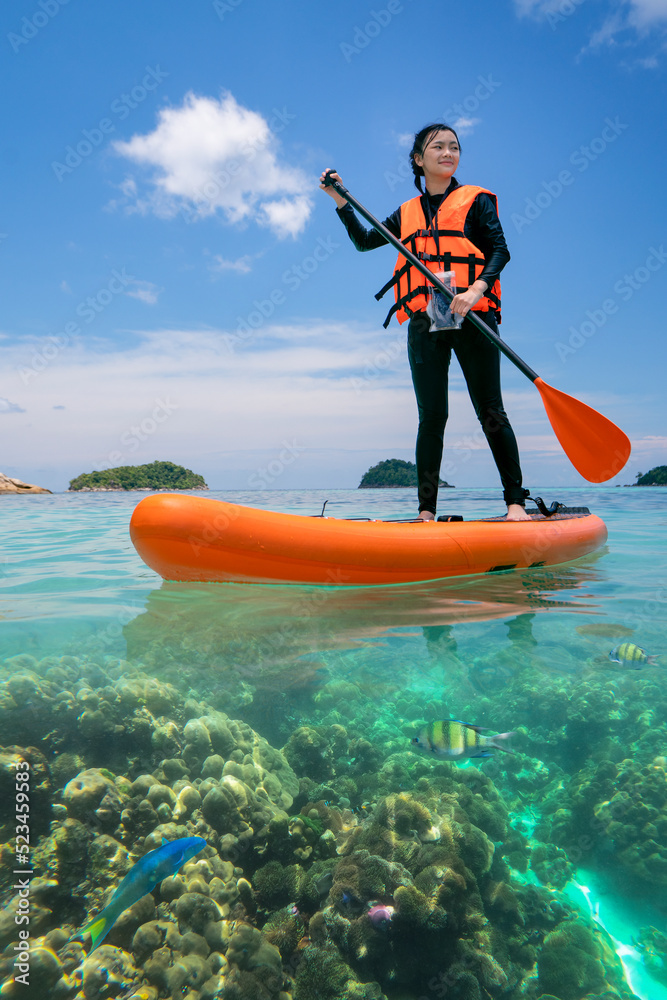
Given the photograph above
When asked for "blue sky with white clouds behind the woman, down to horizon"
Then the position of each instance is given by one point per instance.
(175, 285)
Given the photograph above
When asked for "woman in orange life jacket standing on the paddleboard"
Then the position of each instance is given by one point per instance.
(451, 227)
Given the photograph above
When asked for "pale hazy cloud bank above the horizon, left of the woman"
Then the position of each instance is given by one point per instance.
(298, 381)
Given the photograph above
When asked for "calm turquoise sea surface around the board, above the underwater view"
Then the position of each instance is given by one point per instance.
(68, 568)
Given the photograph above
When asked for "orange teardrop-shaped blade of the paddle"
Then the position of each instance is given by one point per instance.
(597, 448)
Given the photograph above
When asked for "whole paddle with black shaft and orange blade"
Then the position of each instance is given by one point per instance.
(597, 448)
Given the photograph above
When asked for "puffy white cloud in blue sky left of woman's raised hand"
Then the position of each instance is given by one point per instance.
(215, 157)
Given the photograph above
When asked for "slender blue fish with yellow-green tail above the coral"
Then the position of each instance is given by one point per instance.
(141, 879)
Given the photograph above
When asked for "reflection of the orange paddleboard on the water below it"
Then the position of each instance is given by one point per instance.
(272, 652)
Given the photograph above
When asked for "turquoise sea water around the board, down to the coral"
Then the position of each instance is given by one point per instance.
(71, 584)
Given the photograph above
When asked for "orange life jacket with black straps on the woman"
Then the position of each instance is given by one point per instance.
(453, 252)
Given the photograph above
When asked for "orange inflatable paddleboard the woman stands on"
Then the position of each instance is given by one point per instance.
(189, 538)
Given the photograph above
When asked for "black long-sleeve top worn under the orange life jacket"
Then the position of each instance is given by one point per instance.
(482, 227)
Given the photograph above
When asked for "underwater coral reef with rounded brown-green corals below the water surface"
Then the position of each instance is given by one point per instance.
(338, 863)
